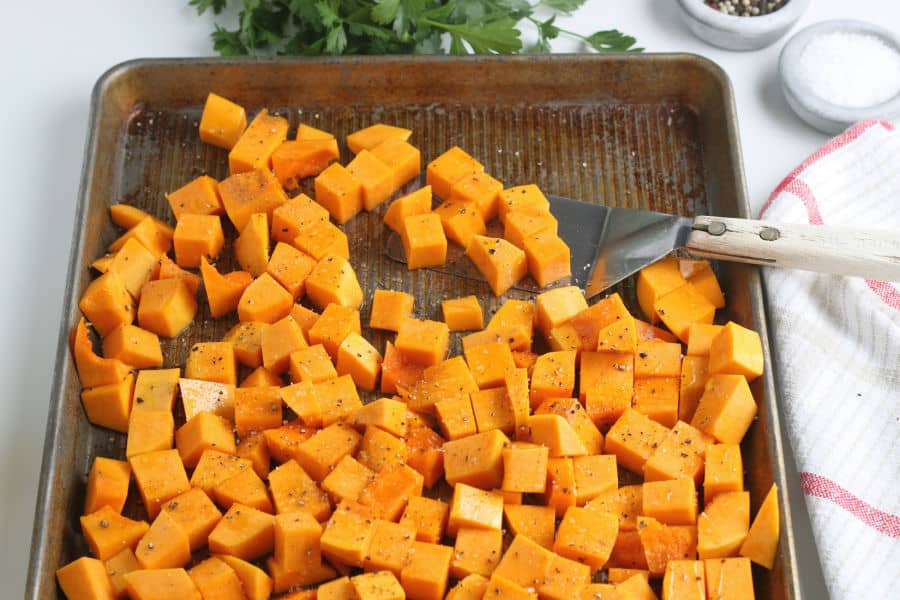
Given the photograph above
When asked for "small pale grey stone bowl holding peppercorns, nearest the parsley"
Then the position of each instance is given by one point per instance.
(740, 33)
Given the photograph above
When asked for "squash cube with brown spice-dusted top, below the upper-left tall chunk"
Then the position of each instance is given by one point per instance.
(246, 193)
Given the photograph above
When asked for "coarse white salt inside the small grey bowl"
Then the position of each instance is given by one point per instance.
(851, 69)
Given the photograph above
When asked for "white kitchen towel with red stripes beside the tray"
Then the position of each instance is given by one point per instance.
(838, 340)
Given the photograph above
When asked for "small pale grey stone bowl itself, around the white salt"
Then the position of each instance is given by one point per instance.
(819, 112)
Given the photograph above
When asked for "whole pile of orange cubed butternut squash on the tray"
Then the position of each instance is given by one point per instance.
(568, 444)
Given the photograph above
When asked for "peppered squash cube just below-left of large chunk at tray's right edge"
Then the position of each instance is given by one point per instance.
(679, 455)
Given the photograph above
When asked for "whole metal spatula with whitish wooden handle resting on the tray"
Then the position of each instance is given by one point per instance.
(608, 244)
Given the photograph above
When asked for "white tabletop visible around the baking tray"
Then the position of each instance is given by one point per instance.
(54, 51)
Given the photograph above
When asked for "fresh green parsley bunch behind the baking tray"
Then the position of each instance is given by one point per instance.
(311, 27)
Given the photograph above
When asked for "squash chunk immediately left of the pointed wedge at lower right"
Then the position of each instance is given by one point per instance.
(723, 525)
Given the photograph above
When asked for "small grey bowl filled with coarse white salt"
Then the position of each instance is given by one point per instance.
(836, 73)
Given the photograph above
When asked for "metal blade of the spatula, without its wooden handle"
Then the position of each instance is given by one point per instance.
(609, 243)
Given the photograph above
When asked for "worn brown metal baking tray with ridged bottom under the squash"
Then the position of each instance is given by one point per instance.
(645, 131)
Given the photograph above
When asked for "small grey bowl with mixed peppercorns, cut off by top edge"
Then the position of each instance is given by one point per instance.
(741, 24)
